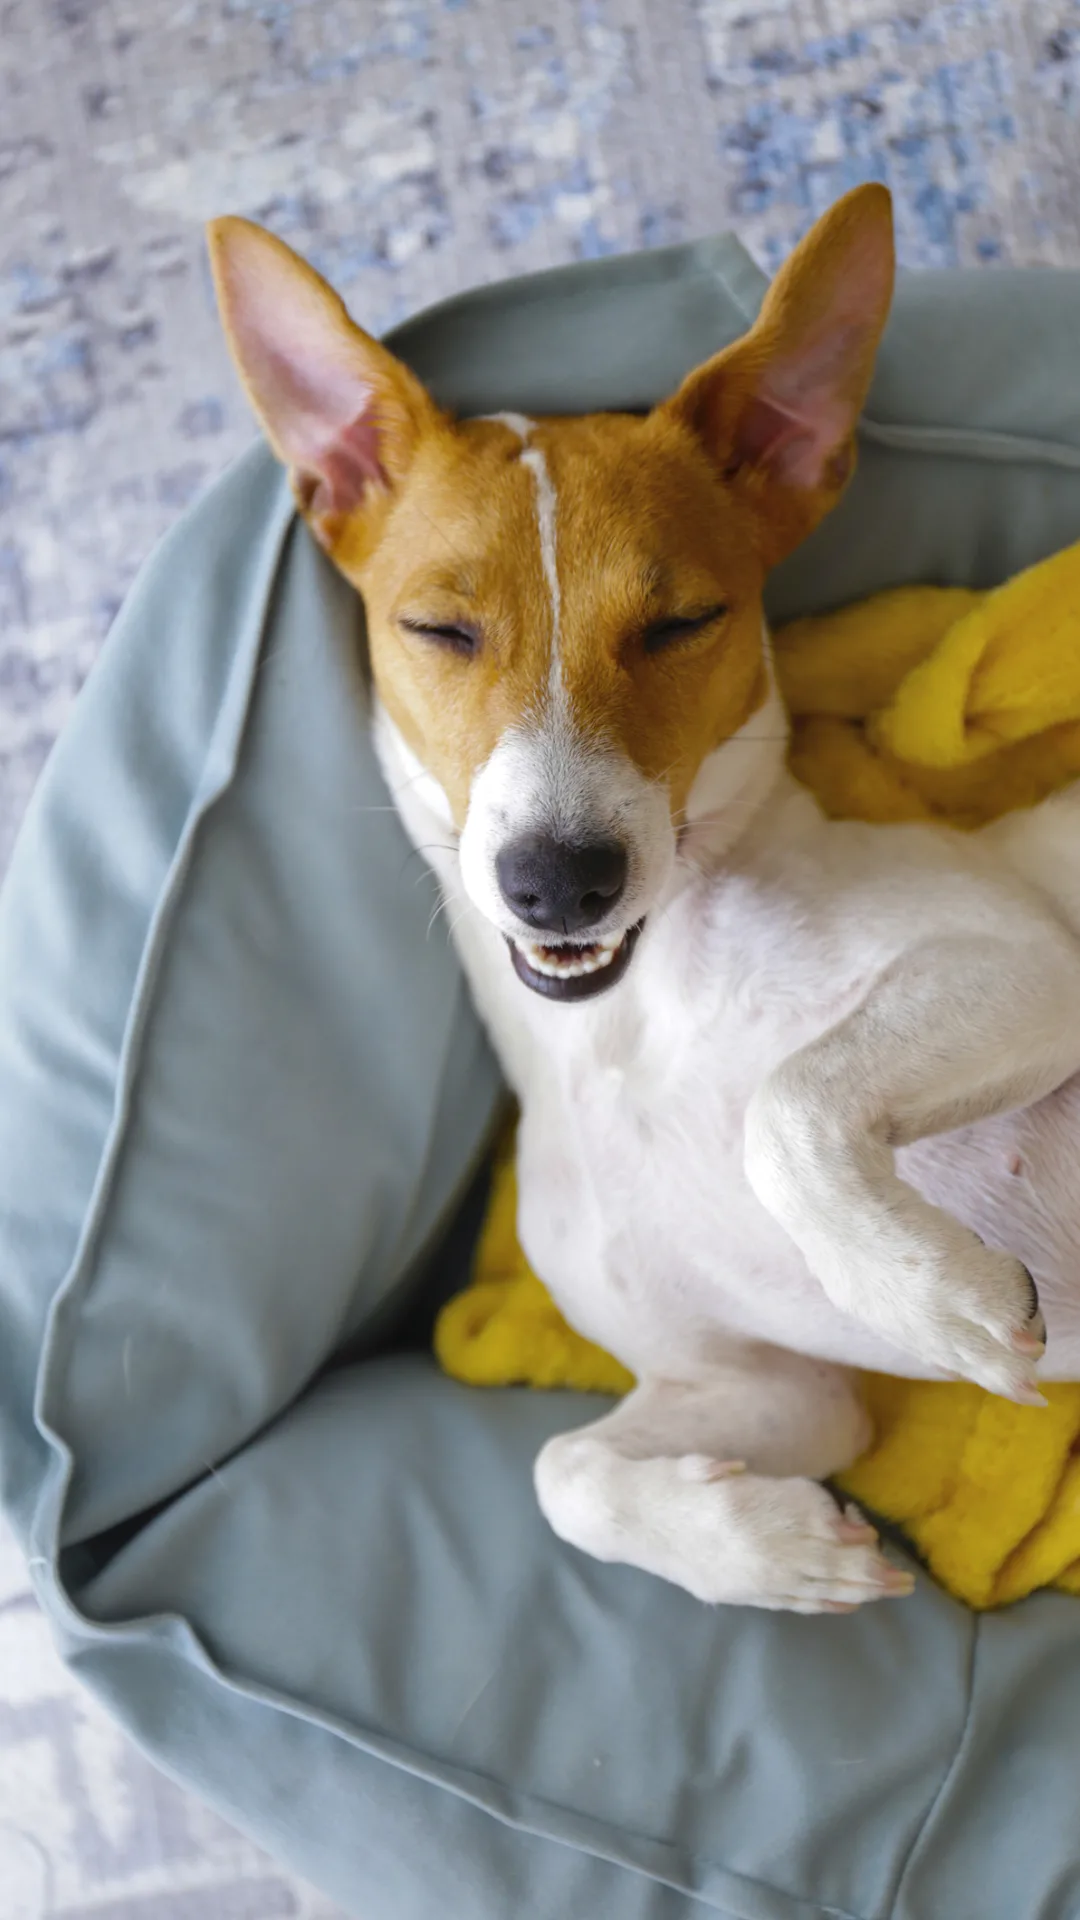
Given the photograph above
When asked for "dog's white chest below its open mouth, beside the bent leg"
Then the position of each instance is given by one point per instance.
(635, 1207)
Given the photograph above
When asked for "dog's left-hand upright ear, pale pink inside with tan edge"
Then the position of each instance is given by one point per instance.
(337, 408)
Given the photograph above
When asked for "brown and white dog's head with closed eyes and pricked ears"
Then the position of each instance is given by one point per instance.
(566, 613)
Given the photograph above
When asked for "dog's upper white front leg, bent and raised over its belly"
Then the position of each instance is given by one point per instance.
(954, 1032)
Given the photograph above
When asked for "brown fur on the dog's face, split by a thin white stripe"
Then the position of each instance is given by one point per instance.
(645, 531)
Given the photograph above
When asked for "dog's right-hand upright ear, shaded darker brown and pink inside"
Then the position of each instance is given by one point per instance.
(779, 408)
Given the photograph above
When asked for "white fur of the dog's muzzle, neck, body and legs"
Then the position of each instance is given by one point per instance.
(818, 1126)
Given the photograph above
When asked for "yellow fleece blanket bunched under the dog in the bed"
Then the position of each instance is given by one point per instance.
(923, 704)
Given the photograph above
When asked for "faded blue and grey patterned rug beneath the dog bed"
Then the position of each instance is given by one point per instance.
(410, 149)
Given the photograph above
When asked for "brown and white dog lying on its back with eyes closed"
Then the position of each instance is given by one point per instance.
(798, 1097)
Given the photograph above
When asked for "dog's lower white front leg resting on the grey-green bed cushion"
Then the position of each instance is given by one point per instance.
(710, 1483)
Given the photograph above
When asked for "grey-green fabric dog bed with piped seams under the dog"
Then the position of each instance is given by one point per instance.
(243, 1118)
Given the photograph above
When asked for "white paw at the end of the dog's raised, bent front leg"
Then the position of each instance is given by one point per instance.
(966, 1310)
